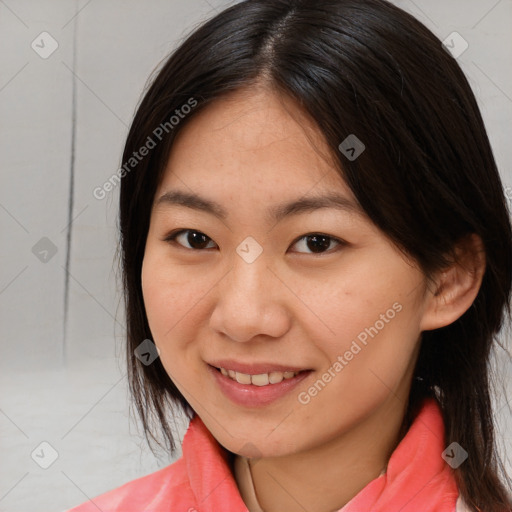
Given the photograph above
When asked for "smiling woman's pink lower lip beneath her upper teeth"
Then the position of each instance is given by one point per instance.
(249, 395)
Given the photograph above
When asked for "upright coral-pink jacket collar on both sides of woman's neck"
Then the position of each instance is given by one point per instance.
(417, 476)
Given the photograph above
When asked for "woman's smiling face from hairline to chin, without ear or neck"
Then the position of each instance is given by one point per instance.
(253, 286)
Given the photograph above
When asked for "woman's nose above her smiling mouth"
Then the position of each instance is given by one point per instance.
(251, 302)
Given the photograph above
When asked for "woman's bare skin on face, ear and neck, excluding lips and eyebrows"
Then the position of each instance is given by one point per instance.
(247, 151)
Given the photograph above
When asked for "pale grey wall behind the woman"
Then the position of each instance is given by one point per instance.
(63, 120)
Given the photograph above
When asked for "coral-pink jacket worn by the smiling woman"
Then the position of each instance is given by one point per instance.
(417, 478)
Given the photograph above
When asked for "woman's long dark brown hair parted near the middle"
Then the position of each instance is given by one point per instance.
(427, 179)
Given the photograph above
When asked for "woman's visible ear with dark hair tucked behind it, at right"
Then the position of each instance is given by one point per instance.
(457, 286)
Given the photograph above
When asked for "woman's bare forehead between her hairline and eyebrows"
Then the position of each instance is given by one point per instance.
(253, 138)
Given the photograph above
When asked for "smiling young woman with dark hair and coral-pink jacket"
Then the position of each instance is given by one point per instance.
(314, 236)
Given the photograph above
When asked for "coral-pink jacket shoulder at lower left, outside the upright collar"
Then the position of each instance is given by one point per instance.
(169, 485)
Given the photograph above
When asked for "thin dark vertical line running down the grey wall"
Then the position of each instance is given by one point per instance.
(71, 189)
